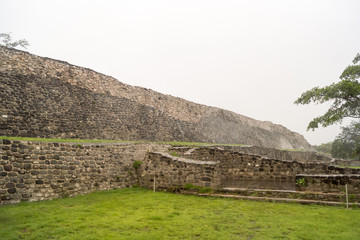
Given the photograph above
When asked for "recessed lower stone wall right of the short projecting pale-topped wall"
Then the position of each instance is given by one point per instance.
(243, 170)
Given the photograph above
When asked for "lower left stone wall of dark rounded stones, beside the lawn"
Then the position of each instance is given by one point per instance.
(33, 171)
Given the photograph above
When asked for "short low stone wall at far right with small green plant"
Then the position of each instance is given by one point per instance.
(328, 183)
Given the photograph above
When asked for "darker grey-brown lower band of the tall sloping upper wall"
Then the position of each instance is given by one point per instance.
(39, 107)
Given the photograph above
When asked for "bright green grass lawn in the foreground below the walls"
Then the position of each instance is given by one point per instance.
(142, 214)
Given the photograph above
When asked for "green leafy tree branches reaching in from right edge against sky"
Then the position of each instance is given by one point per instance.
(344, 94)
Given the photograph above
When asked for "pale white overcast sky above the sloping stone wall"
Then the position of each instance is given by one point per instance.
(251, 57)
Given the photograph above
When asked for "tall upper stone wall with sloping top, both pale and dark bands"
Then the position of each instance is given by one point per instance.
(42, 97)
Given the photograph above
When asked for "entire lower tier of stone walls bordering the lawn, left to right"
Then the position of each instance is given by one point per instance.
(33, 171)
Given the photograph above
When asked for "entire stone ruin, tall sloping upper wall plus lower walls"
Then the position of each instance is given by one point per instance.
(42, 97)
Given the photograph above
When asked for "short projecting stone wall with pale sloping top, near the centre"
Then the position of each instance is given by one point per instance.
(170, 171)
